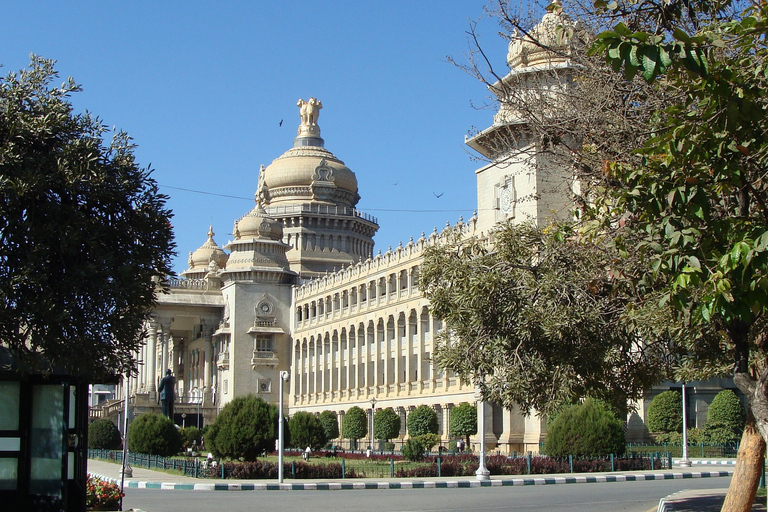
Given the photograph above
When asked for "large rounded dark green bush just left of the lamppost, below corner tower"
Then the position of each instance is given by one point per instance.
(245, 428)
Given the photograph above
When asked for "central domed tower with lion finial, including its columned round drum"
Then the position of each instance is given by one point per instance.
(314, 195)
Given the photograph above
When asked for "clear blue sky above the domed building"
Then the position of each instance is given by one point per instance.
(202, 87)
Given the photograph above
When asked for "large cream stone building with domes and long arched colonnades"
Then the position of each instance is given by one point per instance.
(298, 289)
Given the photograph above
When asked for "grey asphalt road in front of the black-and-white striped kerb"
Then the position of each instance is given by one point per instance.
(598, 497)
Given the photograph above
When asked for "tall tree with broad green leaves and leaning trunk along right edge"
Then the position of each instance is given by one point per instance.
(700, 195)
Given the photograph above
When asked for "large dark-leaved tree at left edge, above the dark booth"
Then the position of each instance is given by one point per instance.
(84, 233)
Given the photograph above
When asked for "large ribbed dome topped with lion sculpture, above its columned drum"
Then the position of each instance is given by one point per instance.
(308, 173)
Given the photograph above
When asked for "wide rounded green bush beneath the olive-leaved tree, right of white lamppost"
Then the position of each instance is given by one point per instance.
(589, 429)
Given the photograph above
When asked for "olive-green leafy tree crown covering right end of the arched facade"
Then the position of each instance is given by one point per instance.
(542, 319)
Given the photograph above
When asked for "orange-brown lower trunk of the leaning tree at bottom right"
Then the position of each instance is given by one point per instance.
(746, 475)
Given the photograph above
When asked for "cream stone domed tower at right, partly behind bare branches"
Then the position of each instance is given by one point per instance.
(524, 179)
